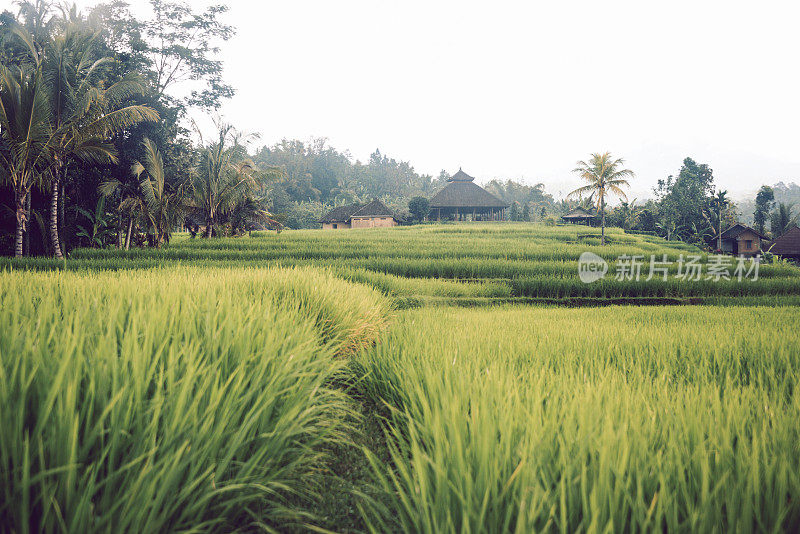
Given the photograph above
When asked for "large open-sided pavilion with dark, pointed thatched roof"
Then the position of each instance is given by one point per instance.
(462, 199)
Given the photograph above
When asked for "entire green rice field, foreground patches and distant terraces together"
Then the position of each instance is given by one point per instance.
(408, 380)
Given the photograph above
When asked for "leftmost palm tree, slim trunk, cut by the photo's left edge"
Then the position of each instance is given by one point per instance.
(25, 130)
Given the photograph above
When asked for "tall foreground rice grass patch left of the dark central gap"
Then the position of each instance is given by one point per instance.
(172, 399)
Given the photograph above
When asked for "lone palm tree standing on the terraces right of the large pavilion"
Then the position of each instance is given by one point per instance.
(604, 175)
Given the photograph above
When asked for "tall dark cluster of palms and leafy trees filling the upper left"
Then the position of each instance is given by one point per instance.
(85, 99)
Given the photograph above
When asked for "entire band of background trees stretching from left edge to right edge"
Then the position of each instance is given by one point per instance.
(97, 148)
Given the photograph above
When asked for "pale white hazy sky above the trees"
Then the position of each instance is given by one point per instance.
(524, 89)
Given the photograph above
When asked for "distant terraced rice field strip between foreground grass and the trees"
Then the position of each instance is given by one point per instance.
(509, 261)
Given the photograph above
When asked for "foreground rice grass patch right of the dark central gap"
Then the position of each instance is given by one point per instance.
(606, 419)
